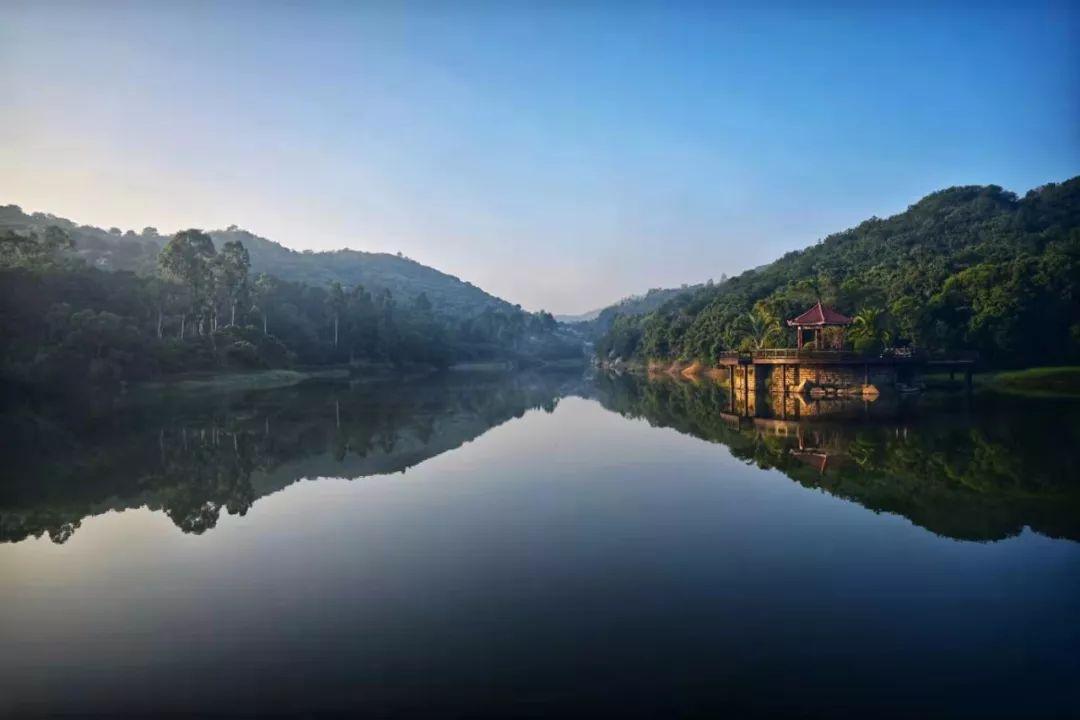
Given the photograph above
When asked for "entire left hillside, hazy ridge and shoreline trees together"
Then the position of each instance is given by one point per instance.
(84, 309)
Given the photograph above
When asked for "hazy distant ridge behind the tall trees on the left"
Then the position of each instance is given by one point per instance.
(117, 250)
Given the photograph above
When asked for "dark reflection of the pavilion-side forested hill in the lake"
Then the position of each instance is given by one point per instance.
(978, 476)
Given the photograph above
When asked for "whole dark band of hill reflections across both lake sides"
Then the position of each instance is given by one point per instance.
(978, 469)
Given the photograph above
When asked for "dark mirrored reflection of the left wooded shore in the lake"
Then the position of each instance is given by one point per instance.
(195, 458)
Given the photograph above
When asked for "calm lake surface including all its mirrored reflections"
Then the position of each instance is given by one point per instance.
(529, 546)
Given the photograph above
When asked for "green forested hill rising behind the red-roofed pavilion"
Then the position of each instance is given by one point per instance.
(968, 268)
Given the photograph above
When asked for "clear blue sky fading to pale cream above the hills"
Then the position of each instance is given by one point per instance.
(559, 155)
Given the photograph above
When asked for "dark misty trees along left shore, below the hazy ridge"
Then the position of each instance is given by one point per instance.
(65, 324)
